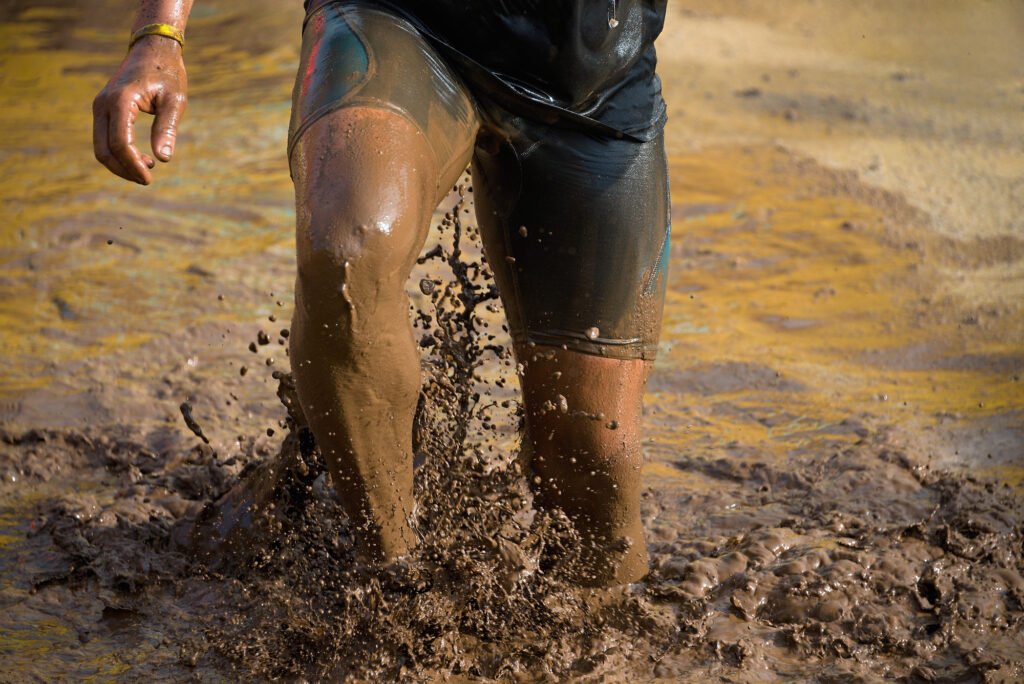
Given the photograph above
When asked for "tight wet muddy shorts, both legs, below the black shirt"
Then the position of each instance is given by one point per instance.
(575, 222)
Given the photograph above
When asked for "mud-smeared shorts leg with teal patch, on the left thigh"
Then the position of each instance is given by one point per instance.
(357, 57)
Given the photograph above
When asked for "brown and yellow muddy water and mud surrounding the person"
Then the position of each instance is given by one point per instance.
(843, 328)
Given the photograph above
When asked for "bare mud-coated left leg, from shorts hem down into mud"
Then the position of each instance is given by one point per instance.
(366, 184)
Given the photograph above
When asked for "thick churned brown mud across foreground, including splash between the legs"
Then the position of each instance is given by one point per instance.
(857, 564)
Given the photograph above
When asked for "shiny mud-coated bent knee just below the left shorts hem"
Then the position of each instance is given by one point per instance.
(364, 199)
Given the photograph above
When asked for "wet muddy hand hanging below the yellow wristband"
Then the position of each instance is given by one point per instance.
(152, 79)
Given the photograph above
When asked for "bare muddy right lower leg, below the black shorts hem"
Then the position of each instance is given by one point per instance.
(589, 466)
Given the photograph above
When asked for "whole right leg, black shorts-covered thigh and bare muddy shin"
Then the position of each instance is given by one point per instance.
(577, 232)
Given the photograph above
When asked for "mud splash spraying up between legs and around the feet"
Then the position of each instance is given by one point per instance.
(484, 595)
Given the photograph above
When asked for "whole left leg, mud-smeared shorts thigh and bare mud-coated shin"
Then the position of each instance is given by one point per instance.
(369, 165)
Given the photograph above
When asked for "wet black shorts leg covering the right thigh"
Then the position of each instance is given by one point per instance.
(577, 230)
